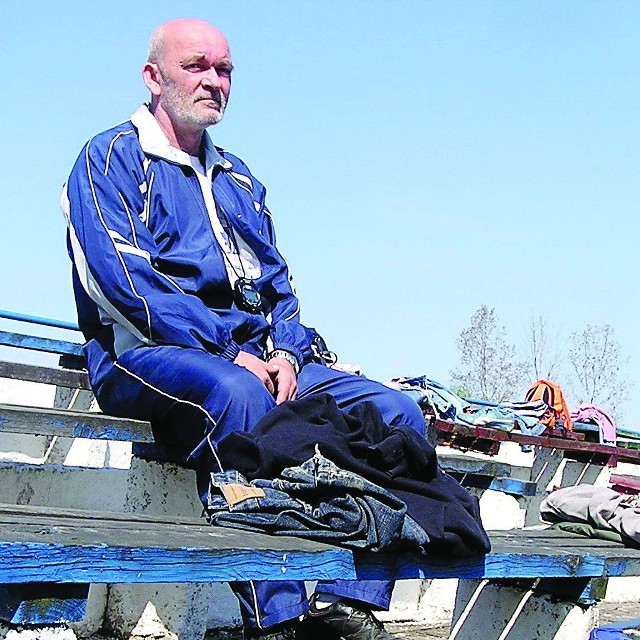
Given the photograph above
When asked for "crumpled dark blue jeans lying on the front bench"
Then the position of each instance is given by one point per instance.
(319, 501)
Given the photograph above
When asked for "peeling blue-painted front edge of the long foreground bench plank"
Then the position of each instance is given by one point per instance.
(34, 562)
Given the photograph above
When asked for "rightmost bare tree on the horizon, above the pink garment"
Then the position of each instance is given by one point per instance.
(596, 365)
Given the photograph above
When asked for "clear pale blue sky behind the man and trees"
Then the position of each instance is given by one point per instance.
(421, 158)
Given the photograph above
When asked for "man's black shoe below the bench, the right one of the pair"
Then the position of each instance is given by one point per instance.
(348, 622)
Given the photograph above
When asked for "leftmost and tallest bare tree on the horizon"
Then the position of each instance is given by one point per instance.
(489, 370)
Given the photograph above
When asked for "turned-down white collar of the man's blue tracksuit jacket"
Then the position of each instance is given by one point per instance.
(155, 143)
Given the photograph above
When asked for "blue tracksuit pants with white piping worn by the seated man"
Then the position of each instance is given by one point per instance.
(194, 399)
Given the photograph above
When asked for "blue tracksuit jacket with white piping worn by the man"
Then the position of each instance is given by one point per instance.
(147, 268)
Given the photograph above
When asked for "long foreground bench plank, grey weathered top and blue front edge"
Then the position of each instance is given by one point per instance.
(45, 544)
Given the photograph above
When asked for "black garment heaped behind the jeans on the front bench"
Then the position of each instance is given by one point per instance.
(396, 458)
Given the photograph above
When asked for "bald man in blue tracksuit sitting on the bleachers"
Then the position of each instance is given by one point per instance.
(187, 306)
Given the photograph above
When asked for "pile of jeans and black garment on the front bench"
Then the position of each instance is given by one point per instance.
(311, 470)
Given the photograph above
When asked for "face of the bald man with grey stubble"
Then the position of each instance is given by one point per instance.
(195, 76)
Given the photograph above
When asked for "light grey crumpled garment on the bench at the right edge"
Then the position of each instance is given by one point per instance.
(598, 506)
